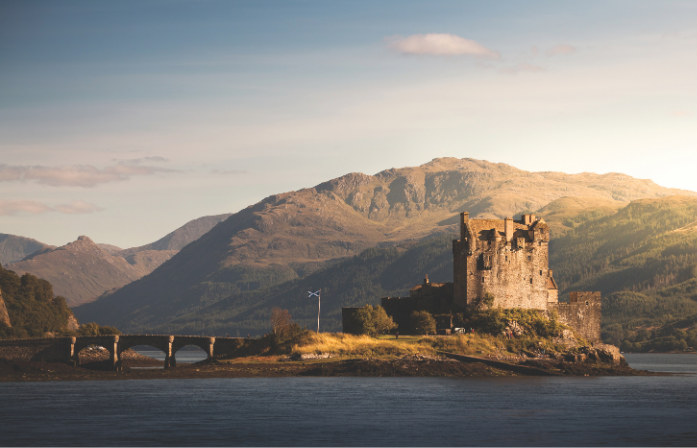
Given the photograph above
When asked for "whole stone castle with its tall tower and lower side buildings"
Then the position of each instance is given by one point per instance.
(508, 260)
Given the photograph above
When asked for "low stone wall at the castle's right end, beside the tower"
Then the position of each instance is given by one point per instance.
(582, 313)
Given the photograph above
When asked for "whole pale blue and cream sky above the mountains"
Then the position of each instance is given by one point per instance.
(124, 120)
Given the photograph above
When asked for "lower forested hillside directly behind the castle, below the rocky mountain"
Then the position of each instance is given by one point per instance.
(656, 236)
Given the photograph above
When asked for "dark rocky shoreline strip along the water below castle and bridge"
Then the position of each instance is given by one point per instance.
(407, 366)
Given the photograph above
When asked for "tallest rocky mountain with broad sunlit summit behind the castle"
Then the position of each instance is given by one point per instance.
(288, 236)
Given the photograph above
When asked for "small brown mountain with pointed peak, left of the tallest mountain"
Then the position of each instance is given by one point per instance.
(80, 271)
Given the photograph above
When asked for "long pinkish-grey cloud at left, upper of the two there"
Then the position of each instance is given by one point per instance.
(76, 175)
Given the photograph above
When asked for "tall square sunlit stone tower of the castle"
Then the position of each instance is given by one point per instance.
(506, 258)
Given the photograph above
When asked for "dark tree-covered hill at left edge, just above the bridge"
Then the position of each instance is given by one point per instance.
(30, 307)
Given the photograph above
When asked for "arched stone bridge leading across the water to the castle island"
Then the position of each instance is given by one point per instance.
(68, 349)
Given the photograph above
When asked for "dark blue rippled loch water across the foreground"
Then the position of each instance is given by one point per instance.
(529, 411)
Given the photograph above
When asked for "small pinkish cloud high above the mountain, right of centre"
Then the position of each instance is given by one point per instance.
(439, 45)
